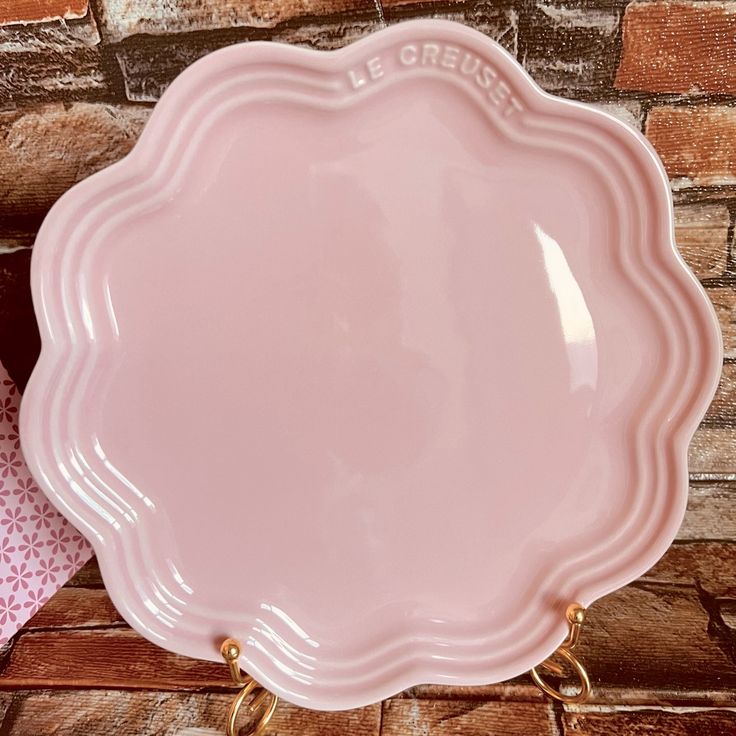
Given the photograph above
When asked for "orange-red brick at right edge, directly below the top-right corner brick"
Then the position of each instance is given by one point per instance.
(696, 143)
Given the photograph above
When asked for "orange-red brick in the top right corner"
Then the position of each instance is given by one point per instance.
(679, 47)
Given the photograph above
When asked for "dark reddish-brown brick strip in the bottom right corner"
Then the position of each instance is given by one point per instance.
(649, 722)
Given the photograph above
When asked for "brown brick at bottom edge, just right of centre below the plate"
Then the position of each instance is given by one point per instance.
(469, 718)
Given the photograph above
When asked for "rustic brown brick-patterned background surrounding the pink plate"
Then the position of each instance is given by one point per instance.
(77, 82)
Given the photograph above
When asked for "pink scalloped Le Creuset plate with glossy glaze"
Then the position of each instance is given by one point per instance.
(451, 357)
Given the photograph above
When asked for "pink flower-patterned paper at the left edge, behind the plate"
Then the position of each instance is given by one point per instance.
(39, 549)
